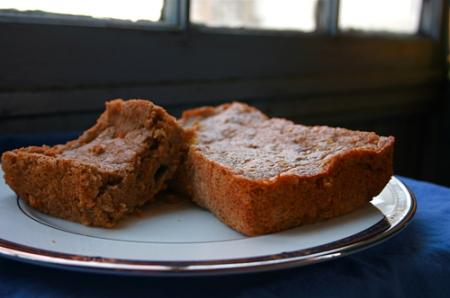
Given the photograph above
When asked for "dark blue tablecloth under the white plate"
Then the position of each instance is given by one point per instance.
(415, 263)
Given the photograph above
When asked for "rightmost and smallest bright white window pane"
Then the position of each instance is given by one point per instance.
(401, 16)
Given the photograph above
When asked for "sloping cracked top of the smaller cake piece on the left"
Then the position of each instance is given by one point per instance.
(120, 135)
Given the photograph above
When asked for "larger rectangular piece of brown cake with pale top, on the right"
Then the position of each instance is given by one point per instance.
(261, 175)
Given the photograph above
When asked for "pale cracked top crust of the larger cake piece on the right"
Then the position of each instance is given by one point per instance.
(250, 144)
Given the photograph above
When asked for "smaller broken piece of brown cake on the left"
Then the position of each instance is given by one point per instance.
(111, 169)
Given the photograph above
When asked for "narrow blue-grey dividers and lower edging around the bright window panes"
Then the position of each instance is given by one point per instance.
(175, 18)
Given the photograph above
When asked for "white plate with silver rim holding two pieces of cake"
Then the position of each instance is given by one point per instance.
(178, 238)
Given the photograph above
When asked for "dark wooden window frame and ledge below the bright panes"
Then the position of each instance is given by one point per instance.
(212, 64)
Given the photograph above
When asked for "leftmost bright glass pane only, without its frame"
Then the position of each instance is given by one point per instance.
(133, 10)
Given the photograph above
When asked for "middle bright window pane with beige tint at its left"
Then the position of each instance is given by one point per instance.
(256, 14)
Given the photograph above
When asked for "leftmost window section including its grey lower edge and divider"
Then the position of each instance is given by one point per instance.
(90, 12)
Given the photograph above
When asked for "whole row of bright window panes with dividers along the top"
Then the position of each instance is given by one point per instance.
(399, 16)
